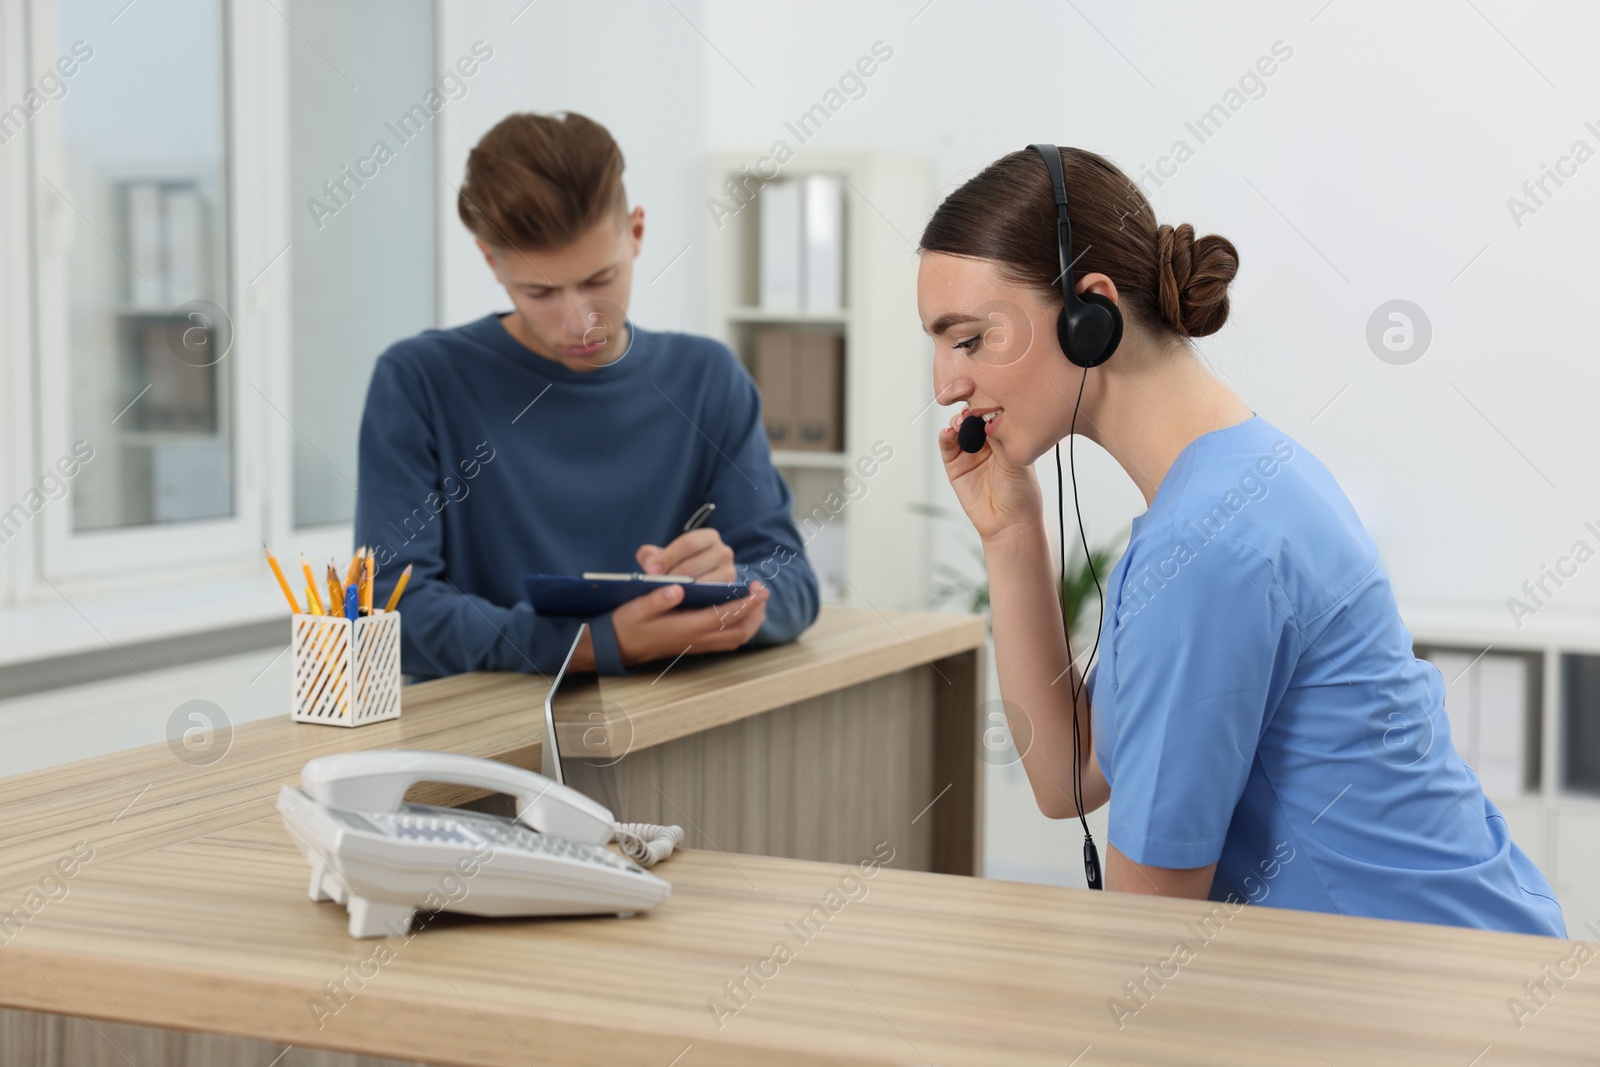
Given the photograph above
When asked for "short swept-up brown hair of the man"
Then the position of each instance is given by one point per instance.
(540, 182)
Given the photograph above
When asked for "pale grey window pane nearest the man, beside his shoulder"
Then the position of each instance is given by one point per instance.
(366, 276)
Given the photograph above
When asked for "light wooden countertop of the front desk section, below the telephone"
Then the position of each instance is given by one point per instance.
(217, 935)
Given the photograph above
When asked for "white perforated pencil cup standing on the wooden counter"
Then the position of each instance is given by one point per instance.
(346, 674)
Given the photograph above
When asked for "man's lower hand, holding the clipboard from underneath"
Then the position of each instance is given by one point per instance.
(647, 628)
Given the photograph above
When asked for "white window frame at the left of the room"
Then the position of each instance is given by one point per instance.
(260, 262)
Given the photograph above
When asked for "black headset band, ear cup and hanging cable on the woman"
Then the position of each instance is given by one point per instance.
(1089, 330)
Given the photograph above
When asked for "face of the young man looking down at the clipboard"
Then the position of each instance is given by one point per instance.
(570, 303)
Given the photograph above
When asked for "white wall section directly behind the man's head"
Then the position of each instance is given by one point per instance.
(633, 68)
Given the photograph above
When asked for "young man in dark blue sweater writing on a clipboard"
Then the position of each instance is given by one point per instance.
(562, 439)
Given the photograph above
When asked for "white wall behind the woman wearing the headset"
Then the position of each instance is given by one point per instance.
(1386, 146)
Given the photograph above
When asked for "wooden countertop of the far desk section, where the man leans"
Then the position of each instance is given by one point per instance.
(148, 797)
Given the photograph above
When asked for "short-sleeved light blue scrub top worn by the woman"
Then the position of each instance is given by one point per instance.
(1257, 705)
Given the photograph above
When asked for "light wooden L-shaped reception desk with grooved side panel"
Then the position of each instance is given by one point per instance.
(183, 933)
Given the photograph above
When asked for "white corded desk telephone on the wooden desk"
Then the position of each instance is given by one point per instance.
(383, 858)
